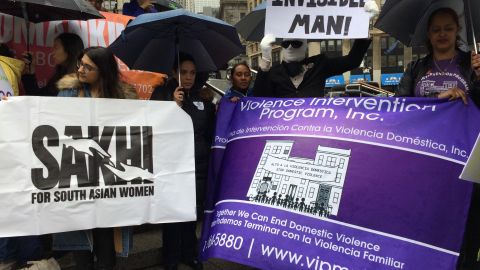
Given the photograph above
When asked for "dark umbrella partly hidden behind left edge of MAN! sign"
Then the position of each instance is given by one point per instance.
(252, 26)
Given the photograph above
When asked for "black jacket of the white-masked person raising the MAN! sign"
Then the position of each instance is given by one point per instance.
(277, 83)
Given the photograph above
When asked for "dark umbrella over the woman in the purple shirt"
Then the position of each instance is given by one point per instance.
(406, 20)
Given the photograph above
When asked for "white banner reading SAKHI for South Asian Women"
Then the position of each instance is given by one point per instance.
(78, 163)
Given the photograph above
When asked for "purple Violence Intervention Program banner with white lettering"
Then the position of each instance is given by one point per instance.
(344, 183)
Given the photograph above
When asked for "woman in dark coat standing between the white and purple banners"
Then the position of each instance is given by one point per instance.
(179, 239)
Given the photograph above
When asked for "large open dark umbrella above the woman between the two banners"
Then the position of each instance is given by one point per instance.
(152, 41)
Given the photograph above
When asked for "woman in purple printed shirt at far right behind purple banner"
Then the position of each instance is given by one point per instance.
(447, 71)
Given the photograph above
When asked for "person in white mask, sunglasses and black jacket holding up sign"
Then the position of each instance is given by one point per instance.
(298, 76)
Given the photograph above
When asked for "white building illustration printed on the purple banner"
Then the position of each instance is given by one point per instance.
(312, 186)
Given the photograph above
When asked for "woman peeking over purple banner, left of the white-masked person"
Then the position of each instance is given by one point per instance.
(240, 77)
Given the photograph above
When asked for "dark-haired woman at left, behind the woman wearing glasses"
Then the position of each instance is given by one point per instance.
(66, 49)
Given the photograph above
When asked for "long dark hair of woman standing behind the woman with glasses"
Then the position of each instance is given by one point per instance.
(73, 47)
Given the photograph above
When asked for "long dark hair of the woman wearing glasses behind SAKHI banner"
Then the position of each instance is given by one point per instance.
(108, 72)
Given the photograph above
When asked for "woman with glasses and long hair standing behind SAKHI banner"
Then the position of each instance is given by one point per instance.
(97, 77)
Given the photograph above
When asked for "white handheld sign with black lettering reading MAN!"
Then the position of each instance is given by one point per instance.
(317, 19)
